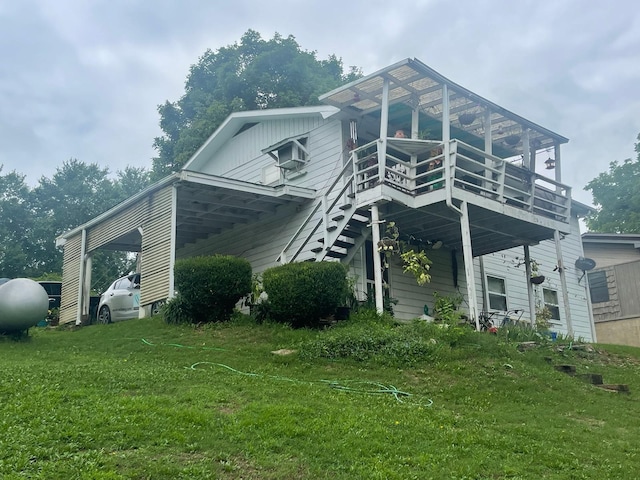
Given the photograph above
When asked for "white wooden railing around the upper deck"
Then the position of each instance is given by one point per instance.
(419, 167)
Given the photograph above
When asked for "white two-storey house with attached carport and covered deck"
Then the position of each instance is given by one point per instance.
(319, 183)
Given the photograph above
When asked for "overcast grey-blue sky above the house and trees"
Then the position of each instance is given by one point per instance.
(83, 78)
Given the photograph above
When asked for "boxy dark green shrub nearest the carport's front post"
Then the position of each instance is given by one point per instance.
(210, 286)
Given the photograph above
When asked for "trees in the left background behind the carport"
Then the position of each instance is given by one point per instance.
(32, 218)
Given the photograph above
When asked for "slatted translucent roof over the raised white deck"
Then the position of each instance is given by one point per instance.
(444, 109)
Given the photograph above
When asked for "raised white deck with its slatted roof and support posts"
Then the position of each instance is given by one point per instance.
(477, 196)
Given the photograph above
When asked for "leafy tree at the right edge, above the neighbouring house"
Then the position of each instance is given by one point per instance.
(616, 195)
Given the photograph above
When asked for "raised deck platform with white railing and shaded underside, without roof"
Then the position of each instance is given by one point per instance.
(423, 182)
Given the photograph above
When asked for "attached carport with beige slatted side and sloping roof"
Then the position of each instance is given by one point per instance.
(180, 209)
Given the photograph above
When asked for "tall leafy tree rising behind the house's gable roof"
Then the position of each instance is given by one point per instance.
(253, 74)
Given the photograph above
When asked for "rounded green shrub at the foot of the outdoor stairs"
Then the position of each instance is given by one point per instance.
(303, 293)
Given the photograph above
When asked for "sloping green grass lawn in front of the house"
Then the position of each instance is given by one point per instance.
(100, 402)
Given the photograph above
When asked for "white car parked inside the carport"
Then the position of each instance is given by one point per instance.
(121, 300)
